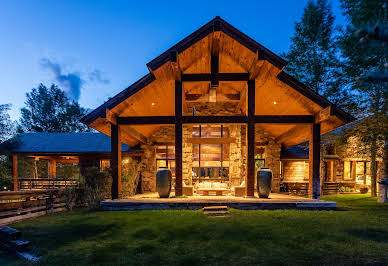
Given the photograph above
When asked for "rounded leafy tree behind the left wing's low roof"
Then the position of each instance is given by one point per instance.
(49, 110)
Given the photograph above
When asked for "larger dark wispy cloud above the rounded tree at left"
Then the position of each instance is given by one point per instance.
(71, 82)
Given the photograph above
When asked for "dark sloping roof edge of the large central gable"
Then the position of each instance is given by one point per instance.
(217, 24)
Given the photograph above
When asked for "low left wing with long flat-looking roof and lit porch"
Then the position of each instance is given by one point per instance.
(57, 150)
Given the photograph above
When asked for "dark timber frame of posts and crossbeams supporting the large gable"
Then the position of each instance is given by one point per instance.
(250, 120)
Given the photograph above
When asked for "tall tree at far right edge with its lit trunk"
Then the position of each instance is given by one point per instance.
(362, 60)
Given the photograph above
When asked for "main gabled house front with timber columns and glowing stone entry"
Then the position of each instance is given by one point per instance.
(214, 108)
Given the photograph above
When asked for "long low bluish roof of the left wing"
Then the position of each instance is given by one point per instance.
(69, 143)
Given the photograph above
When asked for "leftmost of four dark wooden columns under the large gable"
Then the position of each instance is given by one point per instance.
(116, 160)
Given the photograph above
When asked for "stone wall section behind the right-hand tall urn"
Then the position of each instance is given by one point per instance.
(271, 155)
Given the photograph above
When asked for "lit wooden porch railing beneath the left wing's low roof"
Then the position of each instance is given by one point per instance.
(46, 183)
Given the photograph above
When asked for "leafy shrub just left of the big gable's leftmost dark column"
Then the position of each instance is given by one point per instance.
(97, 185)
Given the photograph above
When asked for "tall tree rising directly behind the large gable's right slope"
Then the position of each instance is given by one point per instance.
(313, 54)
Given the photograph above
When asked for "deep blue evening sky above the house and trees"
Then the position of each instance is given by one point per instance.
(108, 43)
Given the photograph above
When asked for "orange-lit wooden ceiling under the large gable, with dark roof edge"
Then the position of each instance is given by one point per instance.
(276, 92)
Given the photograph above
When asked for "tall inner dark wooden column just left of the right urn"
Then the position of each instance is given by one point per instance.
(251, 140)
